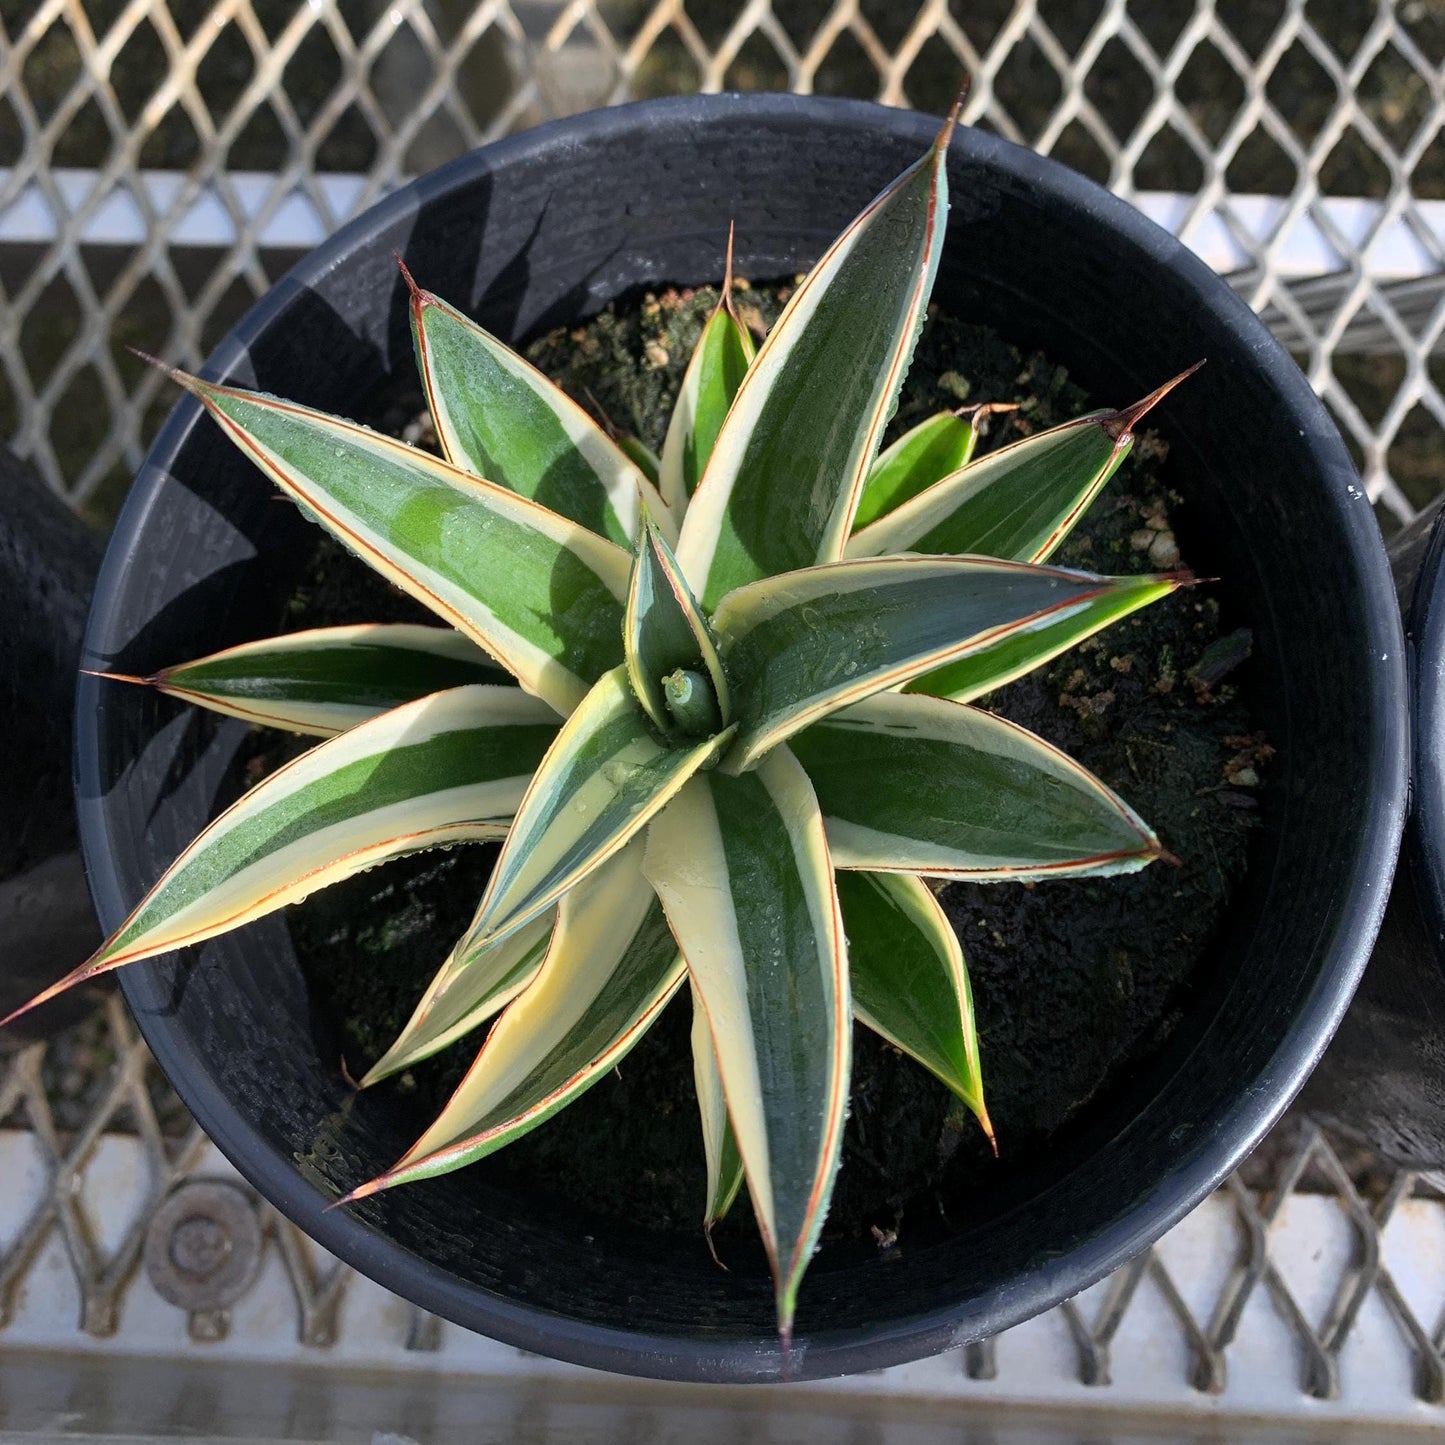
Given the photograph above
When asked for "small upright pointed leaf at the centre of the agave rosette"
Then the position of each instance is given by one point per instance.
(664, 631)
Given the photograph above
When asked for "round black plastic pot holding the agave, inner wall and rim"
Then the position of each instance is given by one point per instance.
(550, 228)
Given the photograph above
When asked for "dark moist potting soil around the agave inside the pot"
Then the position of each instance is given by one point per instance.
(1076, 983)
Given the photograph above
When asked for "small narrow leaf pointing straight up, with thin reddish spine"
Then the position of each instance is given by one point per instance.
(720, 361)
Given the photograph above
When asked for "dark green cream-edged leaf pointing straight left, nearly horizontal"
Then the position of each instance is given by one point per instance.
(324, 681)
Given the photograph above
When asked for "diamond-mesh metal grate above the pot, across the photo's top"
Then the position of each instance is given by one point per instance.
(164, 158)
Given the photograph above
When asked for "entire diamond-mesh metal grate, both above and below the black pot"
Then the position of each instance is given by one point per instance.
(163, 161)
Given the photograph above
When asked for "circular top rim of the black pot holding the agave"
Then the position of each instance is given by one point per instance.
(1301, 1044)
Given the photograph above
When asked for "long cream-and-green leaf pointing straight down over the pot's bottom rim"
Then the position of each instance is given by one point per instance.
(742, 869)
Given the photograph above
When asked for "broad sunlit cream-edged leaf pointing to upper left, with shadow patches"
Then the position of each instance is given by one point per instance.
(540, 593)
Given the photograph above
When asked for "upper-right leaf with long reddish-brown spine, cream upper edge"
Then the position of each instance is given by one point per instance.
(1021, 502)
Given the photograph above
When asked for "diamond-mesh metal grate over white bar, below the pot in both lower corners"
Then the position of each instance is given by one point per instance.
(1313, 1277)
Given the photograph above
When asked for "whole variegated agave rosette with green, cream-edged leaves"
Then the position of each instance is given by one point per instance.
(742, 732)
